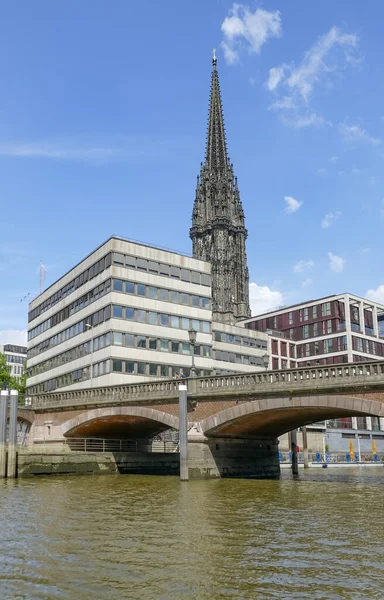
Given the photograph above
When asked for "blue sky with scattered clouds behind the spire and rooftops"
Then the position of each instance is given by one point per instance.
(103, 110)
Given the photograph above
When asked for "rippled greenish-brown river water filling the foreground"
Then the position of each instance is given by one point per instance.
(129, 537)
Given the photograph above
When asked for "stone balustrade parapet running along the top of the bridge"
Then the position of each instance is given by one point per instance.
(316, 380)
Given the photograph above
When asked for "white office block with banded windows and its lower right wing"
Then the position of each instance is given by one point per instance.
(124, 314)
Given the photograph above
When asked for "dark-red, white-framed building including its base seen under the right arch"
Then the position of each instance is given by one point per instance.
(342, 328)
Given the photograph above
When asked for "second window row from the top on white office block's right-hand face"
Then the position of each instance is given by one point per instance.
(155, 293)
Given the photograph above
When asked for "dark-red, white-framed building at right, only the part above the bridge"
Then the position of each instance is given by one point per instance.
(337, 329)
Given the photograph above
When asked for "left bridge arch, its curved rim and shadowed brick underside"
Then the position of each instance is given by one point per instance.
(119, 423)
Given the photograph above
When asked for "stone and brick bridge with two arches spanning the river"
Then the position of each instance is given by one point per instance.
(234, 420)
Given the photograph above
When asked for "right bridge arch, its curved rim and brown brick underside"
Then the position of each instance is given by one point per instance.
(276, 416)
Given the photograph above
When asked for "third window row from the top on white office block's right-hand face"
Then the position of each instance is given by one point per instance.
(154, 318)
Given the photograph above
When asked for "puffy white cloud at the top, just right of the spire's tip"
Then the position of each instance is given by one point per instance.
(244, 29)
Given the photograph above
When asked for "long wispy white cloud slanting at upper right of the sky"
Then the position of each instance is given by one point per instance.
(294, 86)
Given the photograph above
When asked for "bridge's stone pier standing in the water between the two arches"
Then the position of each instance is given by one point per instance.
(214, 457)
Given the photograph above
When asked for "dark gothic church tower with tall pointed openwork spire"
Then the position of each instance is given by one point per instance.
(218, 233)
